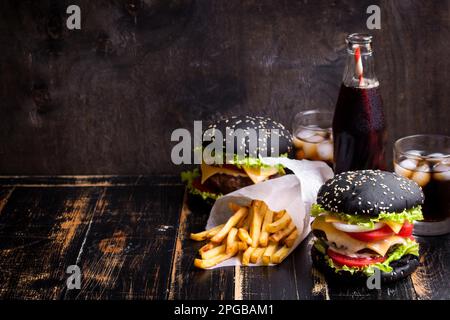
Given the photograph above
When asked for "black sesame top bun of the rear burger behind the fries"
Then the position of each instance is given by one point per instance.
(269, 127)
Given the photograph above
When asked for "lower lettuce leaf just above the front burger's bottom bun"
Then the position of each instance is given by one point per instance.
(411, 247)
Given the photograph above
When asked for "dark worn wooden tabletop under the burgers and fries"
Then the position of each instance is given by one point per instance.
(129, 236)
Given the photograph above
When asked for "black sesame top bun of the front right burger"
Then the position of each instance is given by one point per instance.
(369, 192)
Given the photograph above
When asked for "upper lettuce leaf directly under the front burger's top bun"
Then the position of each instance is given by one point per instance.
(410, 215)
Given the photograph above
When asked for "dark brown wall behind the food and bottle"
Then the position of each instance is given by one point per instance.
(105, 99)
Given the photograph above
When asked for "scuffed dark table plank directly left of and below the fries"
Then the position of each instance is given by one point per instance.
(186, 281)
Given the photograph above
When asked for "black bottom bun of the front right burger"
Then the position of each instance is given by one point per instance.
(402, 268)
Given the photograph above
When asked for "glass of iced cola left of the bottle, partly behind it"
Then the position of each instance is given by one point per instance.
(313, 138)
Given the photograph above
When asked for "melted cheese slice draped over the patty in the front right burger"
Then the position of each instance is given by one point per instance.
(353, 245)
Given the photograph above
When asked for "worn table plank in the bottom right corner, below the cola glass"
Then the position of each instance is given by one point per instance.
(431, 280)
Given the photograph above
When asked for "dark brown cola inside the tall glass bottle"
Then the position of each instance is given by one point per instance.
(359, 130)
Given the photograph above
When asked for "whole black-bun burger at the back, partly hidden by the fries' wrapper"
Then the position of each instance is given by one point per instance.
(243, 166)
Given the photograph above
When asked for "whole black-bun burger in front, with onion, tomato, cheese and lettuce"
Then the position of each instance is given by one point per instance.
(363, 222)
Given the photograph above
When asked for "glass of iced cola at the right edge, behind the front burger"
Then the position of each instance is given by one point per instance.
(426, 160)
